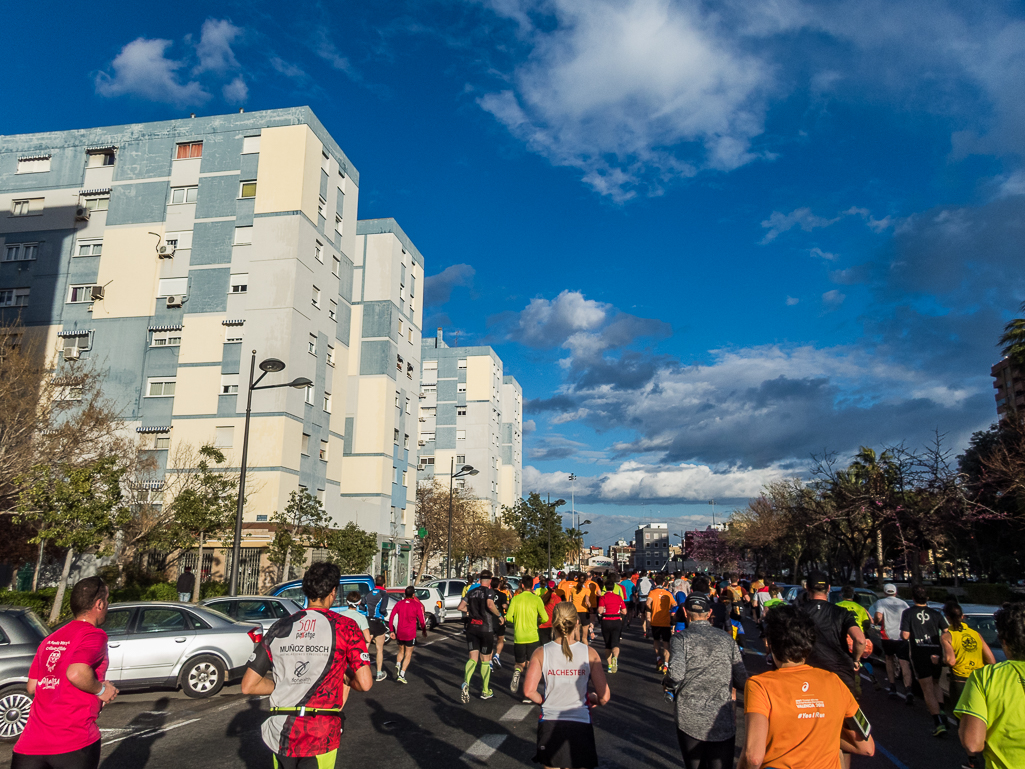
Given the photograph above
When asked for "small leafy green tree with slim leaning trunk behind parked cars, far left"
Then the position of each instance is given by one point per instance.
(77, 508)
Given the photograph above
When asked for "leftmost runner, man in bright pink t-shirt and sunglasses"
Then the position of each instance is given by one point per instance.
(66, 681)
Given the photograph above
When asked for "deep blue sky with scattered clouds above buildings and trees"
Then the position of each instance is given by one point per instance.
(710, 239)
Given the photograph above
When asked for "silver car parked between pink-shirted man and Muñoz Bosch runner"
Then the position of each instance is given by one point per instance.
(174, 644)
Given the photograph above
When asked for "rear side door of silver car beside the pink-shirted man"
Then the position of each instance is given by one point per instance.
(160, 637)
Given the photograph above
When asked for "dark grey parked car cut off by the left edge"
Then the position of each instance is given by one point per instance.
(21, 633)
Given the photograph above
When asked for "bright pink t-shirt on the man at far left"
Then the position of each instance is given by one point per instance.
(63, 717)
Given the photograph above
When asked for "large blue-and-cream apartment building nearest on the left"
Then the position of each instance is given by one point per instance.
(170, 253)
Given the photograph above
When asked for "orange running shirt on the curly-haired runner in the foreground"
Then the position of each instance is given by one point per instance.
(806, 708)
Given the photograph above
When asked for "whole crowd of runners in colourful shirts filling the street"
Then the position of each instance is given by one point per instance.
(566, 634)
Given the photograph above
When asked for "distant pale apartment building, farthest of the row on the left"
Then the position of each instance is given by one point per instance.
(471, 414)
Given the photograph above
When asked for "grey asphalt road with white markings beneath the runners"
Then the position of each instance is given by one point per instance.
(424, 724)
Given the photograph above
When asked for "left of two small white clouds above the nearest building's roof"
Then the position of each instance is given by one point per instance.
(142, 69)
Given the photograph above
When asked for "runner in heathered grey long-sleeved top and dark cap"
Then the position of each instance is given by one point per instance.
(706, 669)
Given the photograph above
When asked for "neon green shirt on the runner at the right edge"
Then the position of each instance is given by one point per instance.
(996, 695)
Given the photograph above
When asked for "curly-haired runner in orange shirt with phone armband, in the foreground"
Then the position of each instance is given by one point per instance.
(795, 714)
